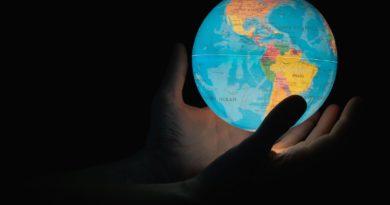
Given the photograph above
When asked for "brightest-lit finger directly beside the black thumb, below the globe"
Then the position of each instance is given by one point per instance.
(296, 134)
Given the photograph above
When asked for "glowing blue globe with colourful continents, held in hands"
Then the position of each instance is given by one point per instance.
(249, 55)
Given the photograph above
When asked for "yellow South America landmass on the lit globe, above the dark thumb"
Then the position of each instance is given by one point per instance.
(293, 76)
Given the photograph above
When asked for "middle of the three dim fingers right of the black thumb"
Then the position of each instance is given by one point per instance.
(326, 122)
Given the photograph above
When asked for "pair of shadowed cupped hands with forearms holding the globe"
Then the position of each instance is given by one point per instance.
(192, 156)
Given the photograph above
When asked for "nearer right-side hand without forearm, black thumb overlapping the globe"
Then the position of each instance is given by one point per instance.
(262, 159)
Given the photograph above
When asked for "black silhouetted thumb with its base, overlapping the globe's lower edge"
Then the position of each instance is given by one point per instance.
(238, 164)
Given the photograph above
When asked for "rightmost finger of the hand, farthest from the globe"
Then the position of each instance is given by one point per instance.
(350, 113)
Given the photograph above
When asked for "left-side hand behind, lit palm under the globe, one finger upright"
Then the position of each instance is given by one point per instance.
(183, 139)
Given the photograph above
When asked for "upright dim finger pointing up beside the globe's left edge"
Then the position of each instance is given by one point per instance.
(173, 82)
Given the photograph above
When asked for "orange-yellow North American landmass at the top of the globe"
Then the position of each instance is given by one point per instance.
(238, 11)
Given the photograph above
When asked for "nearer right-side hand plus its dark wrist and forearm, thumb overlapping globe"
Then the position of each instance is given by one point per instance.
(274, 150)
